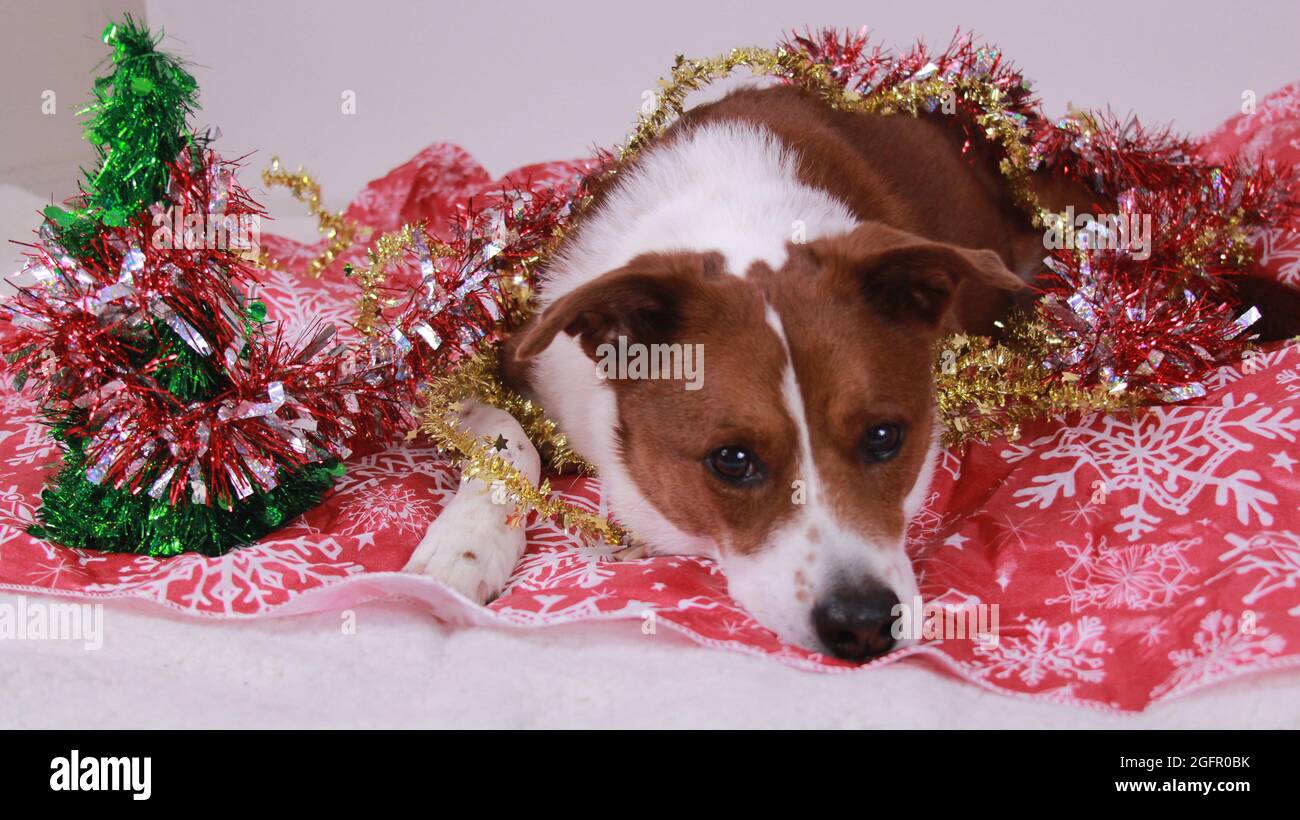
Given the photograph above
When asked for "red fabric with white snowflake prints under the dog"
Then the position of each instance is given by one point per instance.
(1133, 559)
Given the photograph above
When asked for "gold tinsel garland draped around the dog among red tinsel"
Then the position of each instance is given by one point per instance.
(983, 389)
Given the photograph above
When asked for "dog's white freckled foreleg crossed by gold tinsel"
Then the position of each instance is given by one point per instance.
(474, 545)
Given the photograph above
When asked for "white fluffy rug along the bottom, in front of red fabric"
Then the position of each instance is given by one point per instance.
(402, 670)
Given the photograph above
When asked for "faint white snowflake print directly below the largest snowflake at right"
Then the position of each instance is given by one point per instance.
(1137, 578)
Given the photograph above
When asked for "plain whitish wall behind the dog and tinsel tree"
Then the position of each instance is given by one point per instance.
(521, 83)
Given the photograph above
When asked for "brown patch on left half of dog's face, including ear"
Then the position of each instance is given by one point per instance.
(668, 432)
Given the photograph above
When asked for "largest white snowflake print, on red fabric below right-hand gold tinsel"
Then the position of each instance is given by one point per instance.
(1163, 458)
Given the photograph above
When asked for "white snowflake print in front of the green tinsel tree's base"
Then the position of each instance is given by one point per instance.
(249, 580)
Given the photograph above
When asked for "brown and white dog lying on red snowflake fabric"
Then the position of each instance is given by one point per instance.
(814, 257)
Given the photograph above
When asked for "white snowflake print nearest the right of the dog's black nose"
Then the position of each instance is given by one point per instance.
(1071, 652)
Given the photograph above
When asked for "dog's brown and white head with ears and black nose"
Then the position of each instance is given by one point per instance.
(808, 442)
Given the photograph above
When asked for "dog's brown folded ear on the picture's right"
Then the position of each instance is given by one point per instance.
(908, 277)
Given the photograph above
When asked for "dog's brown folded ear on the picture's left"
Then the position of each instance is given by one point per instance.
(640, 302)
